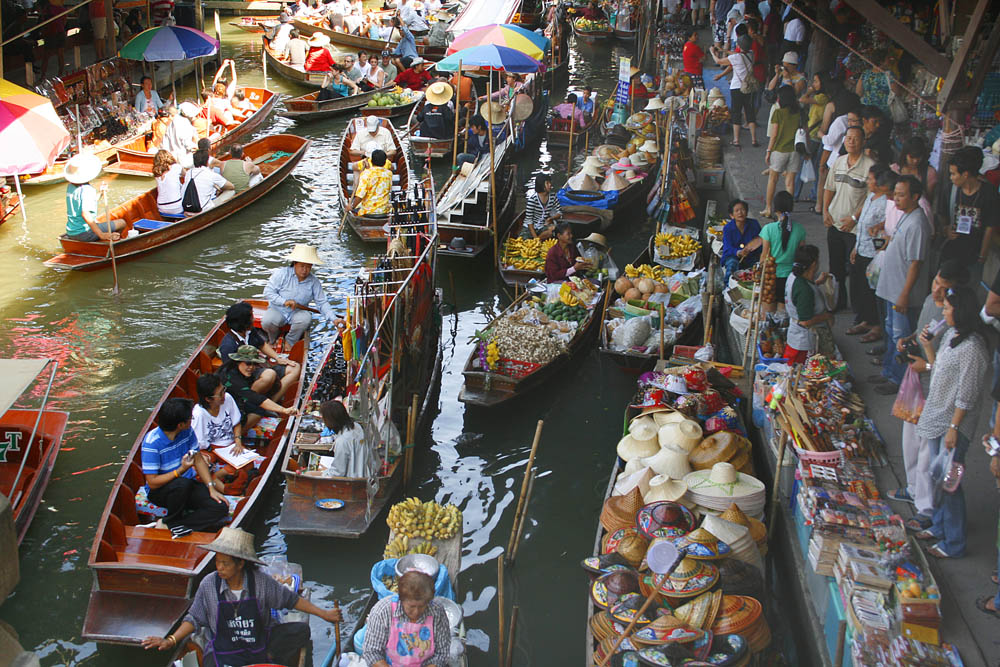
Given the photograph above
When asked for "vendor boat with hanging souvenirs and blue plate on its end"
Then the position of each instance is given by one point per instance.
(396, 300)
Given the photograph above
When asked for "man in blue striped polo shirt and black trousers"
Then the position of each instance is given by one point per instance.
(178, 480)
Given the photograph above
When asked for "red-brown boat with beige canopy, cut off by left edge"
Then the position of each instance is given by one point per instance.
(29, 439)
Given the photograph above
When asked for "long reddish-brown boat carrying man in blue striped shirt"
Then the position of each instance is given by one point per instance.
(144, 579)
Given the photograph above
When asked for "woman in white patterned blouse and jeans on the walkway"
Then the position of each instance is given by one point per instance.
(958, 370)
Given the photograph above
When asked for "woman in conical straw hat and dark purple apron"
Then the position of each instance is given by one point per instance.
(233, 606)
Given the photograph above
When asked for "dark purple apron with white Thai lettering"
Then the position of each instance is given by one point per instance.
(241, 629)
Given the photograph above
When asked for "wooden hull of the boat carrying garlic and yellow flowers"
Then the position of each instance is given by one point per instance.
(489, 388)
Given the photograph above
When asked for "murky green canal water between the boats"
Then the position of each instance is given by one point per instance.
(118, 353)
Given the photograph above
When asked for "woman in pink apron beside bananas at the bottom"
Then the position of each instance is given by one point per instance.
(409, 628)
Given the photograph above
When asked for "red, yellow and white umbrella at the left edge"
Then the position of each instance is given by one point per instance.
(31, 133)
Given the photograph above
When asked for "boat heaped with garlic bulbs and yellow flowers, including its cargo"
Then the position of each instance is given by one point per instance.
(489, 382)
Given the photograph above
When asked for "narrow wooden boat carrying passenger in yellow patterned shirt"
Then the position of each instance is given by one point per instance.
(370, 228)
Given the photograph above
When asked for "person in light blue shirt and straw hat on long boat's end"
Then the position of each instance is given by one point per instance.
(289, 291)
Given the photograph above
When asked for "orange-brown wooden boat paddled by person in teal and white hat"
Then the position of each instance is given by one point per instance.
(276, 155)
